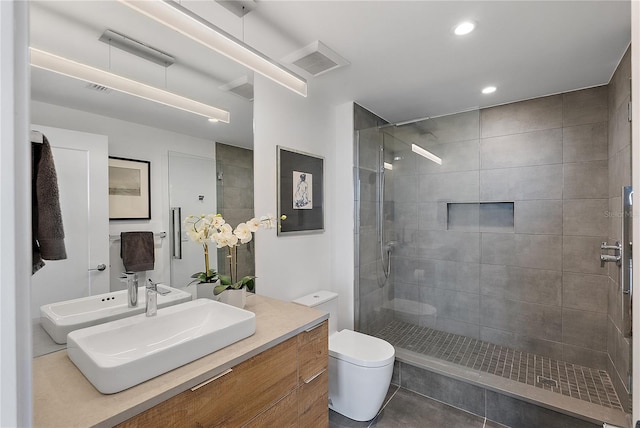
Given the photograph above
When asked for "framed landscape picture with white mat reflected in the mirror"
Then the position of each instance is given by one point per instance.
(129, 189)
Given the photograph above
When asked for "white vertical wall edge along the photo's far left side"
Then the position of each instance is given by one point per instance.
(15, 224)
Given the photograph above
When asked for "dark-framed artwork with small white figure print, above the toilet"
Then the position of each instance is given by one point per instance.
(300, 192)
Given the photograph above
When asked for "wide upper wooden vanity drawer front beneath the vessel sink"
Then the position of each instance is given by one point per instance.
(232, 399)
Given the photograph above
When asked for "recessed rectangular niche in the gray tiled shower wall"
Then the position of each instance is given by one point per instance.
(493, 217)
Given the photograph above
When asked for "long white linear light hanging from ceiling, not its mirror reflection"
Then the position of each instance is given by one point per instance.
(182, 20)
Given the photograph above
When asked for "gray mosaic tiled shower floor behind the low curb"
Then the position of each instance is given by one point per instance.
(568, 379)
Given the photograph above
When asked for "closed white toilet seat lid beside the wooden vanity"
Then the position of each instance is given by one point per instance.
(360, 349)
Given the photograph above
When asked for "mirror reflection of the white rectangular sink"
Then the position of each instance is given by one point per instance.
(60, 318)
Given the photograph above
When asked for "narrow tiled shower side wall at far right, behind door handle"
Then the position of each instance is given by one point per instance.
(619, 159)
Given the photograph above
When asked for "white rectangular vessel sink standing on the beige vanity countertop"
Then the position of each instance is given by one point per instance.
(120, 354)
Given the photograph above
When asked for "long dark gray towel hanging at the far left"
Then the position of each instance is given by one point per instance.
(46, 219)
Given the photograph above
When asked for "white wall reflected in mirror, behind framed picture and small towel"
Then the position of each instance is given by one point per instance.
(134, 141)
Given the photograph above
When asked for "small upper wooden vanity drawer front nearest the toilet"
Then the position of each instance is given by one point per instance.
(313, 351)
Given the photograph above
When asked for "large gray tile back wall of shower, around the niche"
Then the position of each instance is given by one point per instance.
(540, 287)
